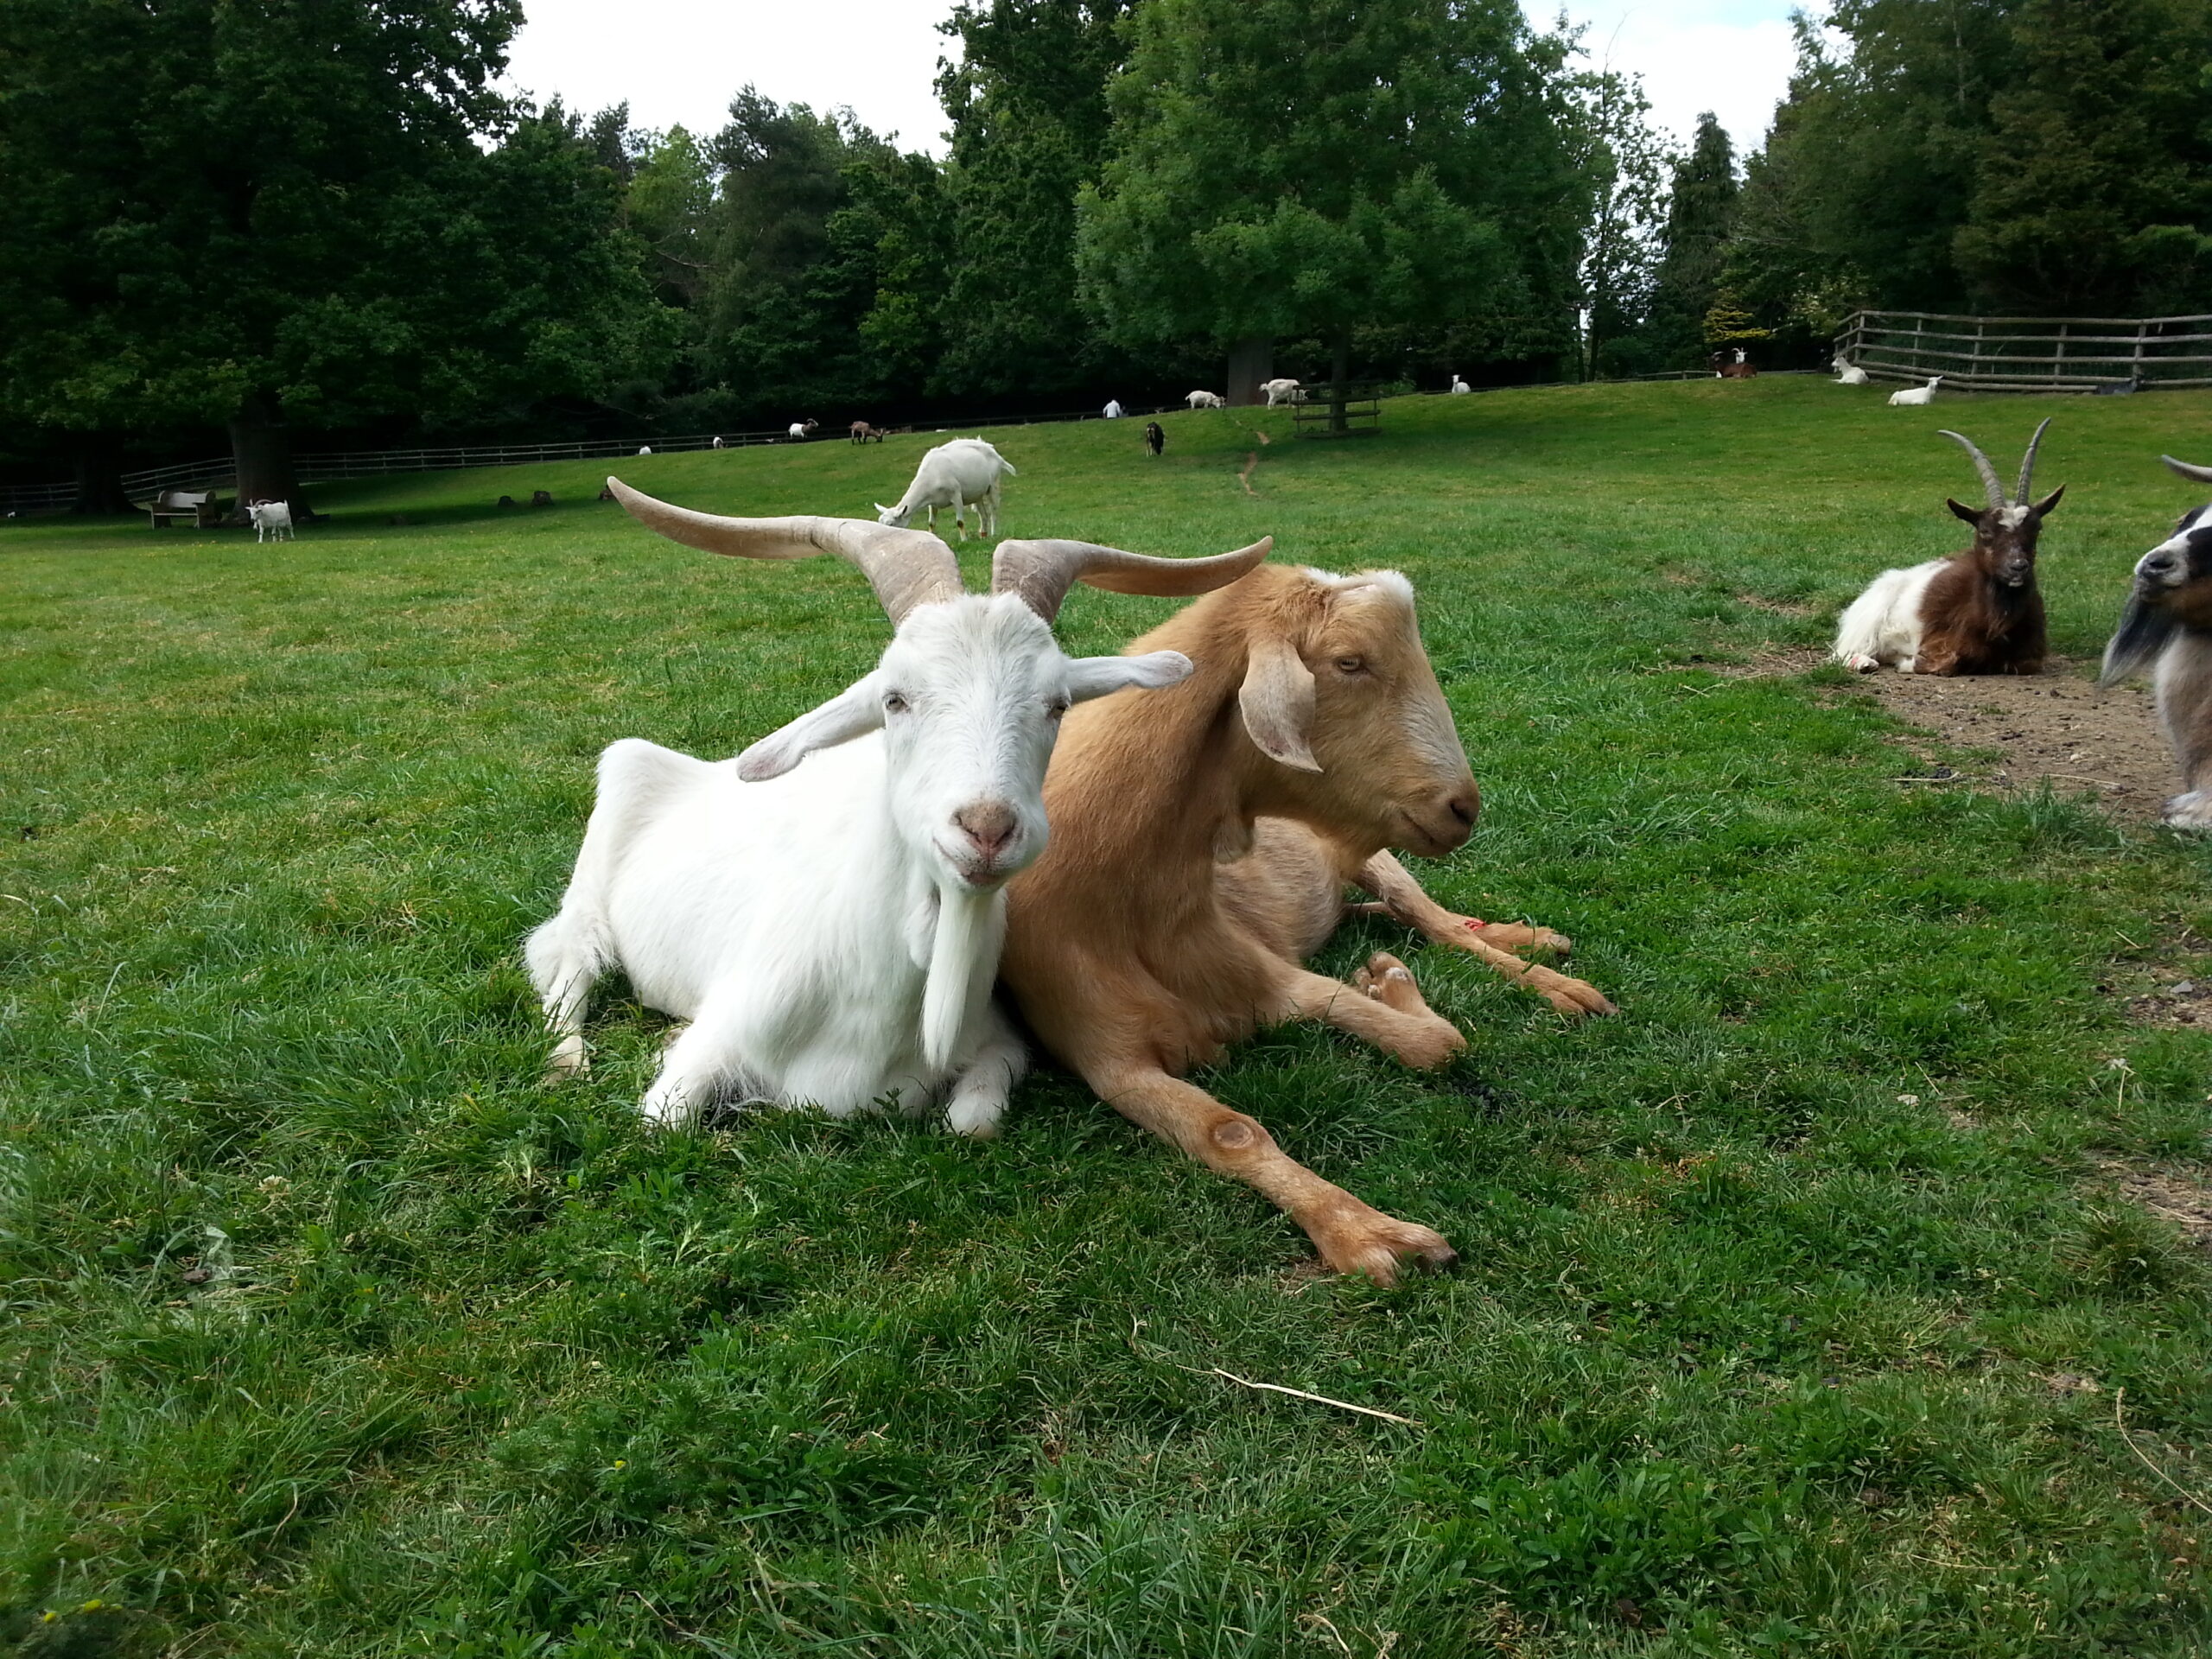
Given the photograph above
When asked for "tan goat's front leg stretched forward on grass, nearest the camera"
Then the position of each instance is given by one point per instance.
(1353, 1238)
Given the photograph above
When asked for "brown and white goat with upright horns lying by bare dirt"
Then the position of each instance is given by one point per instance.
(1974, 614)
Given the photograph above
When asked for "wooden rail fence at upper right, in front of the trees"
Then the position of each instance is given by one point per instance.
(2032, 353)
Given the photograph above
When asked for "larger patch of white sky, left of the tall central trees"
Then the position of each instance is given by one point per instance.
(680, 61)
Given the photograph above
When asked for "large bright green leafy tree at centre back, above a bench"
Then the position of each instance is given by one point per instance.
(1317, 167)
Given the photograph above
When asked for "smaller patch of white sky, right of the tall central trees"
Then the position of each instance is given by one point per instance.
(1724, 56)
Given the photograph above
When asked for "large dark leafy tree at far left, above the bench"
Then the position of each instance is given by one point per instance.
(267, 213)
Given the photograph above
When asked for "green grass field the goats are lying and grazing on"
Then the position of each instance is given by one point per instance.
(1802, 1308)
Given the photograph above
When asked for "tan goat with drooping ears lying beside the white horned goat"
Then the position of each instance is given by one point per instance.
(1202, 842)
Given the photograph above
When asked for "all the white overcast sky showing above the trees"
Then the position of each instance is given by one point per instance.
(678, 61)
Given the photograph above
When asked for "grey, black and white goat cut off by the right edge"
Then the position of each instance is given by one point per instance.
(2169, 620)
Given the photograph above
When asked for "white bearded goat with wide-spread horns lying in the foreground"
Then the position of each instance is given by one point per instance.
(833, 930)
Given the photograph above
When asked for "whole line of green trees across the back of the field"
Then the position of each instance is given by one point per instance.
(286, 218)
